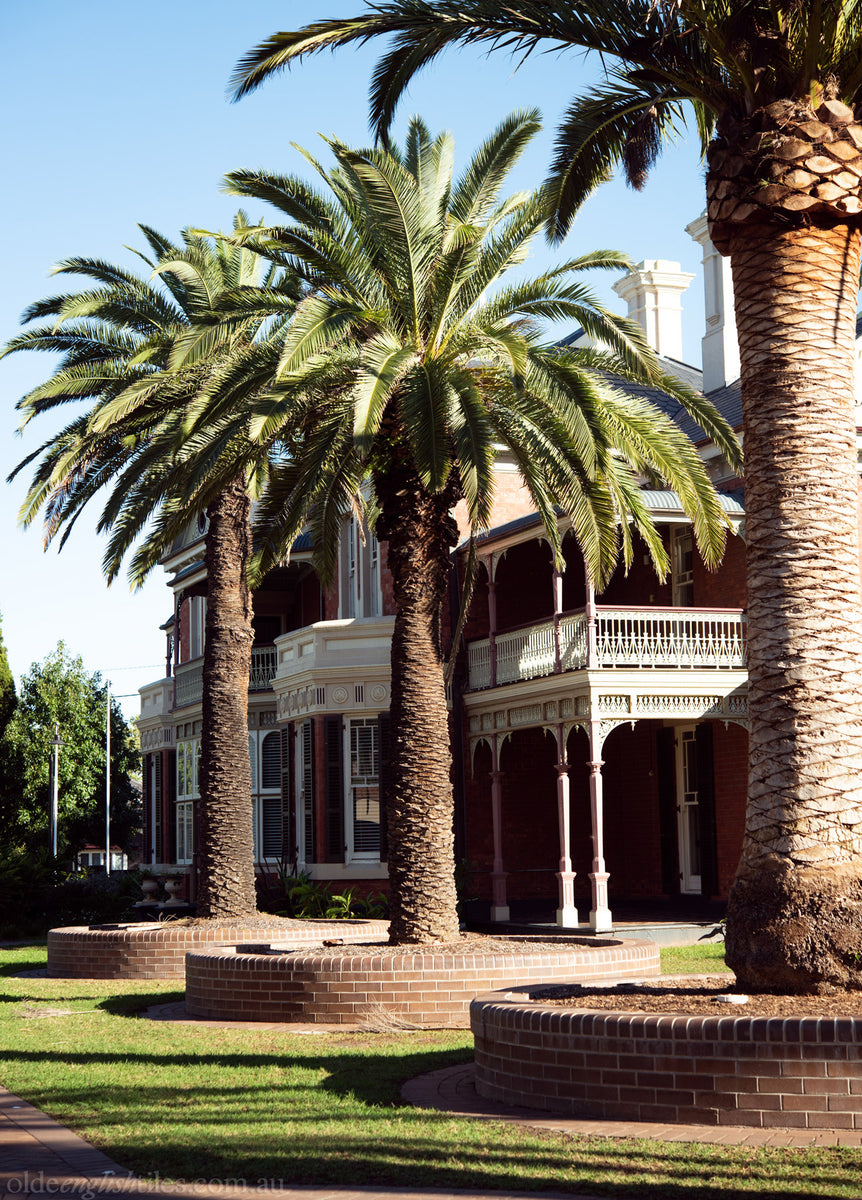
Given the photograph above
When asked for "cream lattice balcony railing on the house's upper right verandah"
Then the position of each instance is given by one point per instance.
(681, 639)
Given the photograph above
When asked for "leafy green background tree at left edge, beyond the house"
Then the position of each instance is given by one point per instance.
(62, 692)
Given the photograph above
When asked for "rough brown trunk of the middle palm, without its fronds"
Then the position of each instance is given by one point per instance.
(420, 807)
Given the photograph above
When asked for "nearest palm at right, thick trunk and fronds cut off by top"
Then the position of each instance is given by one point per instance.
(774, 88)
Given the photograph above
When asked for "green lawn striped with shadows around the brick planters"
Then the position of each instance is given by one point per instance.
(274, 1107)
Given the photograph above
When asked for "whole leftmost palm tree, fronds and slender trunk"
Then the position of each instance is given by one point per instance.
(154, 359)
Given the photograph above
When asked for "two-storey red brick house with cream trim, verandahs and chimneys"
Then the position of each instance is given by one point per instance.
(600, 741)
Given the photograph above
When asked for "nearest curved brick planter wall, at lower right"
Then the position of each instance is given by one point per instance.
(797, 1073)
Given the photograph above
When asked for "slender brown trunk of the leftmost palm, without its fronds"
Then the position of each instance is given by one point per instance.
(226, 854)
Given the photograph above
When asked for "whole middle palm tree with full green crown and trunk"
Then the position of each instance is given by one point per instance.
(403, 371)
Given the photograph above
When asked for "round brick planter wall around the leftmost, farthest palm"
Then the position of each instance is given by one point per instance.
(159, 952)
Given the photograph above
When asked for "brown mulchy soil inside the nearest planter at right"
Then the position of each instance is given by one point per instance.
(697, 997)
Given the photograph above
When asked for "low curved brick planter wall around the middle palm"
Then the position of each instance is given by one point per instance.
(421, 986)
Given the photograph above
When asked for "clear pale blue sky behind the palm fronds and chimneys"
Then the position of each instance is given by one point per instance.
(117, 115)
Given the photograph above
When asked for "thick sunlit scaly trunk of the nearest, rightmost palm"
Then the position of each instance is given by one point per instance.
(795, 913)
